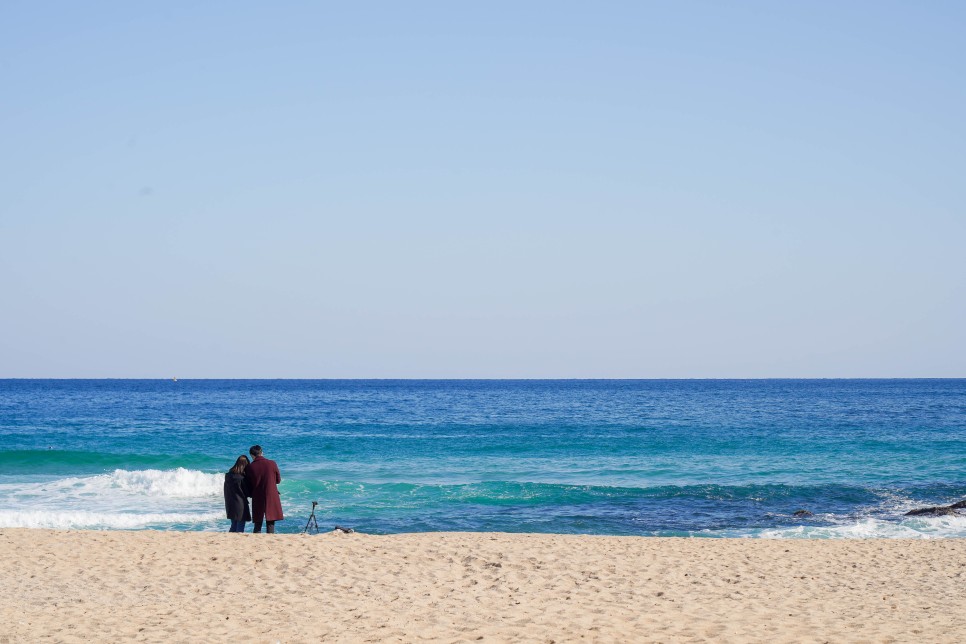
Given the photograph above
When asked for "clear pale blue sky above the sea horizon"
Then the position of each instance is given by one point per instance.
(482, 190)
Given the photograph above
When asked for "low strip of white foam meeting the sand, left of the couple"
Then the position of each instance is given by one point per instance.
(79, 520)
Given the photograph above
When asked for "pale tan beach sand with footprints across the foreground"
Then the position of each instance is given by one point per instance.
(165, 586)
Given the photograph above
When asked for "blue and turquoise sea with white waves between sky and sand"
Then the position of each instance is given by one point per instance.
(715, 458)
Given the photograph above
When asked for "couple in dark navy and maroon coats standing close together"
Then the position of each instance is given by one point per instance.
(257, 479)
